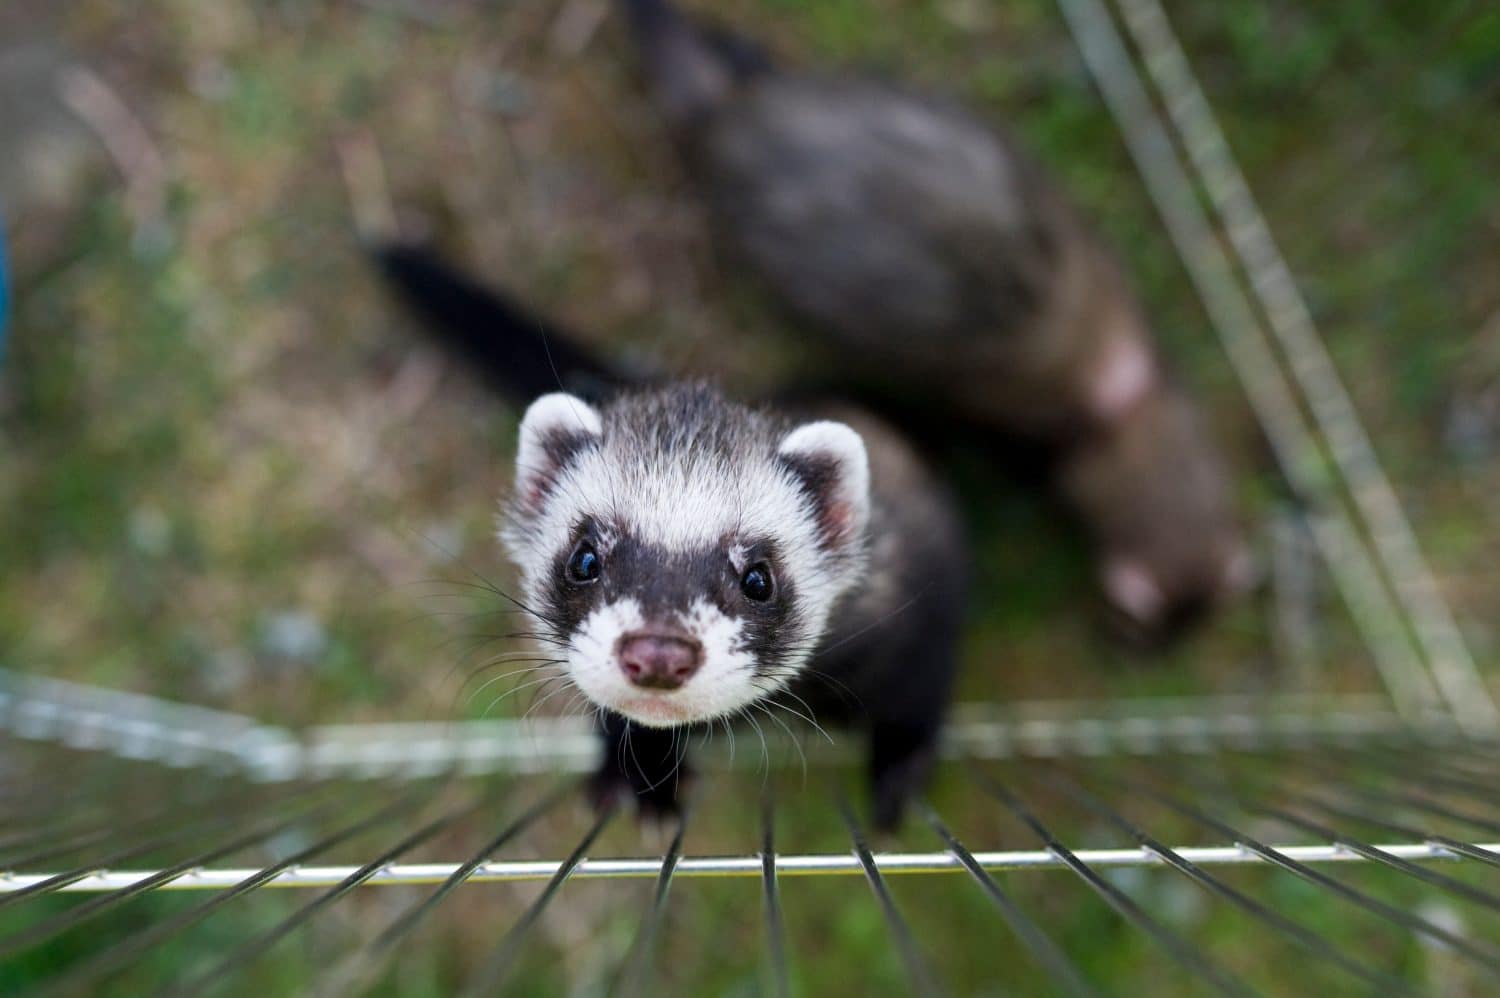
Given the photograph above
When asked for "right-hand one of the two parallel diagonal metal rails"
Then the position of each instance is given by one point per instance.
(1289, 316)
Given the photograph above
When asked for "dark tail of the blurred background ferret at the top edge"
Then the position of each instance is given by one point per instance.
(691, 67)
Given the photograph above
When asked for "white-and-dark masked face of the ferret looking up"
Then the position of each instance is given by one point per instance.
(685, 553)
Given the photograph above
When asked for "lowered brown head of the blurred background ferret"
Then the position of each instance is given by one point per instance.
(1157, 497)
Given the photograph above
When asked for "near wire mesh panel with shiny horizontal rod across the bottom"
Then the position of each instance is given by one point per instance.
(1364, 859)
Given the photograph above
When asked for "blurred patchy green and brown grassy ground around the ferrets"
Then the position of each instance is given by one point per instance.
(233, 476)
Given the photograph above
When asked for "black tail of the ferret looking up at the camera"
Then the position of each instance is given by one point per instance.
(518, 352)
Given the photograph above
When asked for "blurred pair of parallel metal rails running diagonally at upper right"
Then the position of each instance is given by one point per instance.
(1289, 379)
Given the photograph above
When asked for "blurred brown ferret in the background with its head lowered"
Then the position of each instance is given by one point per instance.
(937, 254)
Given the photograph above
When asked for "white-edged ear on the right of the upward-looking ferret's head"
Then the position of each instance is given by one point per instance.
(830, 463)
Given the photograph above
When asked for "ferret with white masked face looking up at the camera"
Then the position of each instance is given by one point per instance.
(694, 559)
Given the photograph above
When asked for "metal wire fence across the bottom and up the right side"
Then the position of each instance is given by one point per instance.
(1189, 846)
